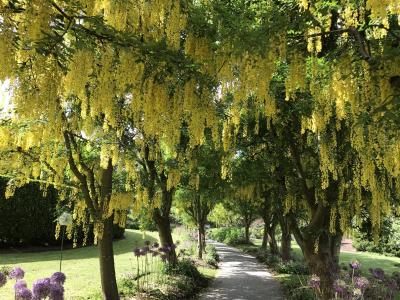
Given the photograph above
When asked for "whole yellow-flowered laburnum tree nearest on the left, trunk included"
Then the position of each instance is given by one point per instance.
(85, 77)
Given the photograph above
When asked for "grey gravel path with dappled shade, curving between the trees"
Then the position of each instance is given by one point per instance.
(241, 277)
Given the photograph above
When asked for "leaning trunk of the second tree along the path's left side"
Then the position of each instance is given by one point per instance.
(164, 231)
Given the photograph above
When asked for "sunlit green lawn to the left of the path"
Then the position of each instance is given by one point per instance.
(81, 266)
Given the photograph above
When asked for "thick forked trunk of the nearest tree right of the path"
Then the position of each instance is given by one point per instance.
(324, 263)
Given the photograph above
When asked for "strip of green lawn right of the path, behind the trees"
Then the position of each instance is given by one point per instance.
(367, 259)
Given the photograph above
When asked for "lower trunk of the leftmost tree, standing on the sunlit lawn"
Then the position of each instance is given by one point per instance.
(107, 267)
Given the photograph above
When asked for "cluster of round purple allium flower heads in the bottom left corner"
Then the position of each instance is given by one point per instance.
(42, 289)
